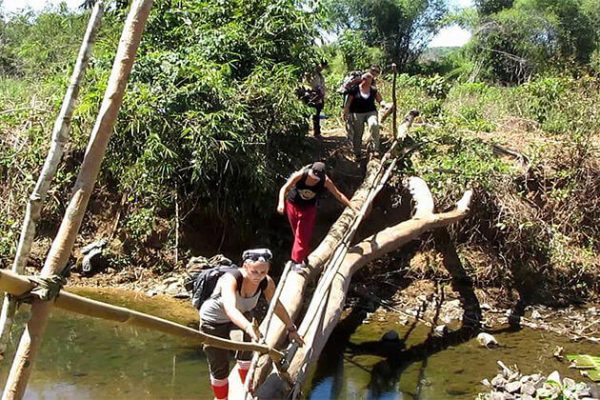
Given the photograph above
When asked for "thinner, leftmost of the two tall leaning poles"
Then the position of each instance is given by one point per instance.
(60, 137)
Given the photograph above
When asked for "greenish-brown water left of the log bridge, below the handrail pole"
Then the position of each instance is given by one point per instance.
(86, 358)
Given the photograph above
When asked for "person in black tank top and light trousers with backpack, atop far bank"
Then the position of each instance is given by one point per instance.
(360, 109)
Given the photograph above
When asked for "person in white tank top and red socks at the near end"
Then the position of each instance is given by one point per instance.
(231, 305)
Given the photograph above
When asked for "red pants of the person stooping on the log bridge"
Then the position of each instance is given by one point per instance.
(302, 220)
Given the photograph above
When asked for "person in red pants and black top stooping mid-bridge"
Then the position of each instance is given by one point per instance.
(298, 199)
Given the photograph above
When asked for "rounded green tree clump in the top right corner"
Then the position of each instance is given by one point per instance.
(533, 37)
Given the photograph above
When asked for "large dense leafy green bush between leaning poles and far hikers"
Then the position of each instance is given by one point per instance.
(210, 109)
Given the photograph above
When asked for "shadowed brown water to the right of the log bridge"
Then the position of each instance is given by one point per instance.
(417, 369)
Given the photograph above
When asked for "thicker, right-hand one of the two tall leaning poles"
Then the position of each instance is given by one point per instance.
(67, 233)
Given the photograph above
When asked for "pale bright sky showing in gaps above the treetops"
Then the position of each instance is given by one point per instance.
(451, 36)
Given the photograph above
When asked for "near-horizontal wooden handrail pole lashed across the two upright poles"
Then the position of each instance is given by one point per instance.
(18, 285)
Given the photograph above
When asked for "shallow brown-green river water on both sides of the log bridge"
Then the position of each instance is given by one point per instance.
(86, 358)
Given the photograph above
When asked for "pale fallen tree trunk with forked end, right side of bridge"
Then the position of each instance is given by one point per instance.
(326, 318)
